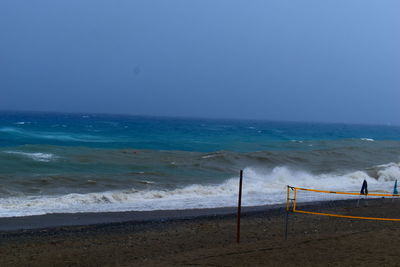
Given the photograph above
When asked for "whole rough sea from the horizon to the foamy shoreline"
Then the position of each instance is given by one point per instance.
(69, 163)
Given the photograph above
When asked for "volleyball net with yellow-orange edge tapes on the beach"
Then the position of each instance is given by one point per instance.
(352, 205)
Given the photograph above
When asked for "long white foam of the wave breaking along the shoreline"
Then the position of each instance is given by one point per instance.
(260, 187)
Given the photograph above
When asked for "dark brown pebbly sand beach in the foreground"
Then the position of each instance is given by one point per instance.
(196, 238)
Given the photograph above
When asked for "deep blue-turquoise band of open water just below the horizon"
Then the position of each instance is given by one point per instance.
(200, 135)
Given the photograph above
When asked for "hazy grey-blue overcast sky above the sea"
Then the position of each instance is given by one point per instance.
(309, 60)
